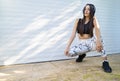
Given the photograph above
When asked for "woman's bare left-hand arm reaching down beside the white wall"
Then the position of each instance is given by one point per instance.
(71, 37)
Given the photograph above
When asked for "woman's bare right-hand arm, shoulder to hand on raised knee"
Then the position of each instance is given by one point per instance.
(99, 46)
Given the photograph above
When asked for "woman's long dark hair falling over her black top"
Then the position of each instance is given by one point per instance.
(82, 21)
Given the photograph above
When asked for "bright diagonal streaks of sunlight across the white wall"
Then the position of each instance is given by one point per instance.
(43, 40)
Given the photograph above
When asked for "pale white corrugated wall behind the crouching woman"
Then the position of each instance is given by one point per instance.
(38, 30)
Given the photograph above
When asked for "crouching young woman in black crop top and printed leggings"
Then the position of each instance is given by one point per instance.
(89, 39)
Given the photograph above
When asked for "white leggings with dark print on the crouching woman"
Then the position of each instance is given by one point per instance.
(84, 46)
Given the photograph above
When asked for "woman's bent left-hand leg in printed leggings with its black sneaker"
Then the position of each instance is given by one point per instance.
(81, 49)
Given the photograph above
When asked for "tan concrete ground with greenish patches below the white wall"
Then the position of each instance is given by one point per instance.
(65, 70)
